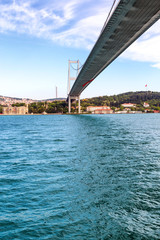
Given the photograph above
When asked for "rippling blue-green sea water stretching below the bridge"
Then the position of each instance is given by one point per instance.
(80, 177)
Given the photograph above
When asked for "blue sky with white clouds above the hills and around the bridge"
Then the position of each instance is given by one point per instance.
(38, 37)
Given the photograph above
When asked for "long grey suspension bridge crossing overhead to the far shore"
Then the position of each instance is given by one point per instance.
(129, 20)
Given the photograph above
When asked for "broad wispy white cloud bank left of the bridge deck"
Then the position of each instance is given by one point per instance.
(66, 23)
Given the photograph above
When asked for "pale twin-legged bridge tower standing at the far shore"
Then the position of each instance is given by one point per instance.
(71, 78)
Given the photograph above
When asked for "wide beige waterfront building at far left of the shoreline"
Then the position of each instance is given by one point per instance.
(15, 110)
